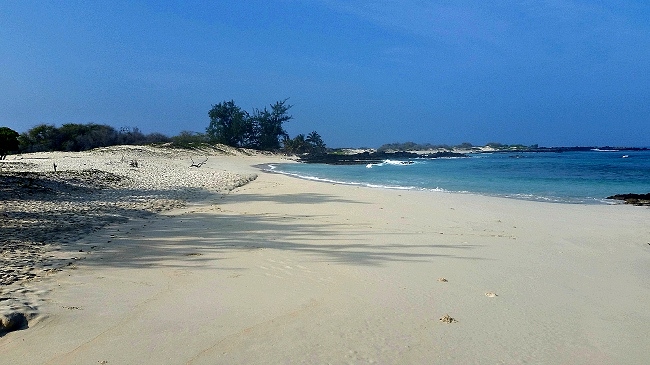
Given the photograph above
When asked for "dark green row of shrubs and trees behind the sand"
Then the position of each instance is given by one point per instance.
(261, 129)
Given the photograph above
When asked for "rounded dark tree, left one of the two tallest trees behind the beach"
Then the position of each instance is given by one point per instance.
(229, 124)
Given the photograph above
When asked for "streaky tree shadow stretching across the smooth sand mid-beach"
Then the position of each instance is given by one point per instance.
(197, 237)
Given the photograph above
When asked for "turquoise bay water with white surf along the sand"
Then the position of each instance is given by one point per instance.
(569, 177)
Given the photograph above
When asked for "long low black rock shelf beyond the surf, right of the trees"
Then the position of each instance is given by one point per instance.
(370, 158)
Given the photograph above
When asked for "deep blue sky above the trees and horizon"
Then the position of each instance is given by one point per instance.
(360, 73)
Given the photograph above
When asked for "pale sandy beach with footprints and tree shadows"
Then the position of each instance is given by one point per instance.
(164, 263)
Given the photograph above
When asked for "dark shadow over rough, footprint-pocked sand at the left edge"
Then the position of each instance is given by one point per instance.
(41, 212)
